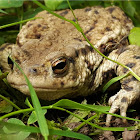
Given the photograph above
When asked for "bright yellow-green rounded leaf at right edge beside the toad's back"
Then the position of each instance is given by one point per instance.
(134, 36)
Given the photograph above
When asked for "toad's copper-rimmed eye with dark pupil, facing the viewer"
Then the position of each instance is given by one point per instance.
(60, 66)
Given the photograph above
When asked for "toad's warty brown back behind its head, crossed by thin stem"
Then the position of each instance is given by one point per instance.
(98, 24)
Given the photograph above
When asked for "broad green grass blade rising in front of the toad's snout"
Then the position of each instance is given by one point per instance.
(40, 116)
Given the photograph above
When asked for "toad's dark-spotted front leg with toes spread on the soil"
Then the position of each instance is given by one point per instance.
(130, 87)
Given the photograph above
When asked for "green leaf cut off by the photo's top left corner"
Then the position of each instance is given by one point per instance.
(10, 3)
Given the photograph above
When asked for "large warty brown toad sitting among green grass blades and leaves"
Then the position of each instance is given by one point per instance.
(60, 63)
